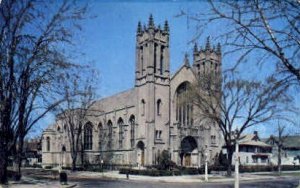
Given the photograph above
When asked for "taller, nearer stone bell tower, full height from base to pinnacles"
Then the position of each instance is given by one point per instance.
(152, 83)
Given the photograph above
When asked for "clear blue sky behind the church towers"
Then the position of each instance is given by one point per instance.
(108, 40)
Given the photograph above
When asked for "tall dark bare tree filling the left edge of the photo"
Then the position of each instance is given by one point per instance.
(33, 61)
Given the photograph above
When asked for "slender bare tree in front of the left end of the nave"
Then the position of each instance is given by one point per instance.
(74, 114)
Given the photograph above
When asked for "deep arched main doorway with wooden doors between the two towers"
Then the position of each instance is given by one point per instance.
(189, 151)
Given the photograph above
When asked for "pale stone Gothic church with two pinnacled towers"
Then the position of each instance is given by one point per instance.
(136, 125)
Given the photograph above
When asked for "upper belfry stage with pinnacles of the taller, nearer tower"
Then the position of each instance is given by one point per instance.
(152, 53)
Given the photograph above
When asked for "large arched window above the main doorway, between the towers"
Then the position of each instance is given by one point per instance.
(184, 109)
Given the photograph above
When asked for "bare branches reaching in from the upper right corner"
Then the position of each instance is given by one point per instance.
(266, 30)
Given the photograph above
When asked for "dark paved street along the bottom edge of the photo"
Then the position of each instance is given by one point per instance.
(278, 183)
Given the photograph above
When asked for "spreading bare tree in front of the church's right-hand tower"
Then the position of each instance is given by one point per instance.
(236, 104)
